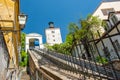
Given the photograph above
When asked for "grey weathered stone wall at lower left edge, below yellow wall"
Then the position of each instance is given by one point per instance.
(4, 58)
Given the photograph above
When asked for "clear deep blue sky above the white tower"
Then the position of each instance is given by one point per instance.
(61, 12)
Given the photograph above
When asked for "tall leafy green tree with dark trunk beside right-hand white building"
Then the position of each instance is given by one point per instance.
(83, 33)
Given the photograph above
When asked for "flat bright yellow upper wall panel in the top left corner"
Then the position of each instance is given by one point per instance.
(6, 12)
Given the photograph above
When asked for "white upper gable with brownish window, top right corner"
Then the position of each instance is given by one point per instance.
(105, 7)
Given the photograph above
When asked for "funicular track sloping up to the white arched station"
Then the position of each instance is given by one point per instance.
(78, 69)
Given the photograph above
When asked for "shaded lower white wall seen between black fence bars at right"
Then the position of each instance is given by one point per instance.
(108, 44)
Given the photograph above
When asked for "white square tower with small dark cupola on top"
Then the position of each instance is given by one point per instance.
(53, 35)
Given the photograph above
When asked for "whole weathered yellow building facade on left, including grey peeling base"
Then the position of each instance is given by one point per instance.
(10, 28)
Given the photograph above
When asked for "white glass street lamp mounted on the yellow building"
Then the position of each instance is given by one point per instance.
(22, 20)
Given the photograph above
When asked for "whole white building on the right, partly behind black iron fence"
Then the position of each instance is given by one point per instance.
(109, 10)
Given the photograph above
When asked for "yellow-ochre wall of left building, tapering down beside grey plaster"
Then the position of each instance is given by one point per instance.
(9, 11)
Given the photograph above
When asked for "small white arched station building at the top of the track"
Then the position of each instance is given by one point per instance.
(30, 41)
